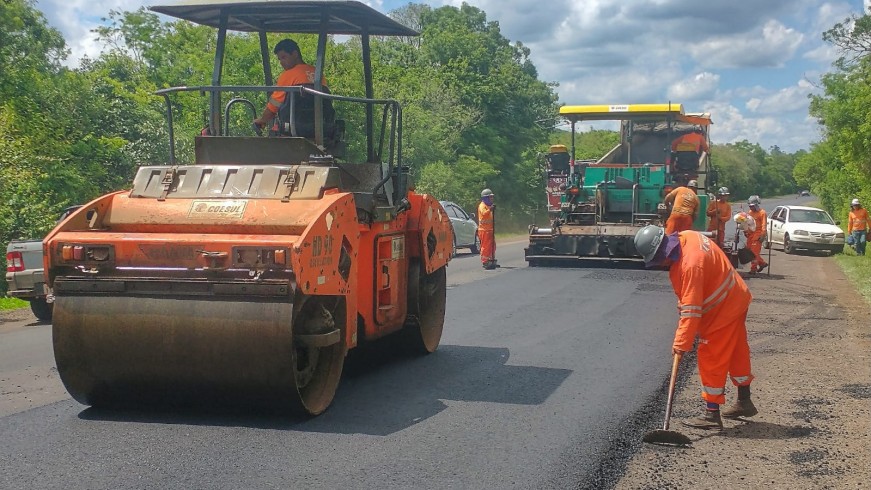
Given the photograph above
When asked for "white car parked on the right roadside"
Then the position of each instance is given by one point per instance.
(802, 227)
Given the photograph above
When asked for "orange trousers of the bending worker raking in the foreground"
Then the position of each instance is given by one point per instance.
(723, 352)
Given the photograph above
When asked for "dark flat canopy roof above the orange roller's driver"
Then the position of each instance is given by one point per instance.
(289, 16)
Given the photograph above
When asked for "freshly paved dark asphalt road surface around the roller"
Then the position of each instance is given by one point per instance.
(539, 373)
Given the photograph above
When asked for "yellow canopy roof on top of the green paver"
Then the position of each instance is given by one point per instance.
(634, 112)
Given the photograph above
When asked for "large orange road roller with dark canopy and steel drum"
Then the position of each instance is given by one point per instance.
(246, 276)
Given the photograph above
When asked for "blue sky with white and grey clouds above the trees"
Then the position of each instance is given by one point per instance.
(751, 65)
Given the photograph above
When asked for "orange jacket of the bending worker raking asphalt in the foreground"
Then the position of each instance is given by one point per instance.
(710, 292)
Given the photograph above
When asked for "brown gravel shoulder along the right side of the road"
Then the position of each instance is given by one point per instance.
(810, 346)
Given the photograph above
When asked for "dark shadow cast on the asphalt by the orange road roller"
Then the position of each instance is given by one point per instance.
(381, 393)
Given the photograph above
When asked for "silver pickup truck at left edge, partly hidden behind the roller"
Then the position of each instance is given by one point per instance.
(24, 273)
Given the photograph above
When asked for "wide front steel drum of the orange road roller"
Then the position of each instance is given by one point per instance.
(120, 349)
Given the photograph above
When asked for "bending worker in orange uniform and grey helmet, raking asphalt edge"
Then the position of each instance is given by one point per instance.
(712, 302)
